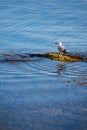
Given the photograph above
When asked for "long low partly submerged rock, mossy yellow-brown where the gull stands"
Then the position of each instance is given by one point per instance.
(65, 57)
